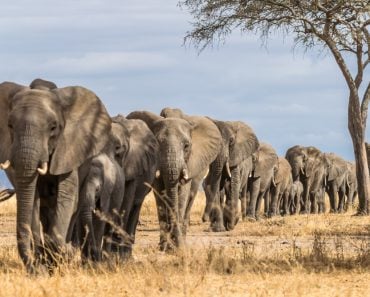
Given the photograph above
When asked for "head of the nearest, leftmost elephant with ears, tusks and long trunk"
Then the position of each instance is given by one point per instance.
(46, 132)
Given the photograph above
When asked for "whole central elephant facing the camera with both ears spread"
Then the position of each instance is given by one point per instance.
(187, 146)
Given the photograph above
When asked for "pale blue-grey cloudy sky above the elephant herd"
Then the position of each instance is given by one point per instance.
(132, 55)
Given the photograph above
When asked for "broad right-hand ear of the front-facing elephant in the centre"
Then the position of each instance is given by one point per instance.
(206, 143)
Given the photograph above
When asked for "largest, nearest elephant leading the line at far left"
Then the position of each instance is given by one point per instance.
(47, 134)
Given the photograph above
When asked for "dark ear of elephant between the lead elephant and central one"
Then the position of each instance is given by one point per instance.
(143, 148)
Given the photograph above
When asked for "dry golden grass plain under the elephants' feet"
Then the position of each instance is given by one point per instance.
(305, 255)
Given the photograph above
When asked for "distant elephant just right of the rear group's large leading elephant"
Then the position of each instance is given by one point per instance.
(337, 178)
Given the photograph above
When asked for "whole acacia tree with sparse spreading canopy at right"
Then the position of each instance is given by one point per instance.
(340, 26)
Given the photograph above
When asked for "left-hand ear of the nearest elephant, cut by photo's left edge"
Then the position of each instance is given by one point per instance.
(7, 92)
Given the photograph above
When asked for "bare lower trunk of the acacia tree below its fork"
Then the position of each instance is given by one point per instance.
(357, 131)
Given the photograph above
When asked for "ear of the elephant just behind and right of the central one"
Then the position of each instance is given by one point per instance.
(245, 143)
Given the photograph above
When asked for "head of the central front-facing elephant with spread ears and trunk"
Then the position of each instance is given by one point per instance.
(186, 148)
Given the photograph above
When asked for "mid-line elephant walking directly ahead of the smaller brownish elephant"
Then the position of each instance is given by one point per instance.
(265, 168)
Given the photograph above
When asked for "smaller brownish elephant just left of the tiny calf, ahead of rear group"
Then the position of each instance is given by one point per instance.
(280, 188)
